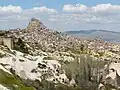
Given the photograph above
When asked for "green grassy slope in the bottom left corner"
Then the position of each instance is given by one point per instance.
(11, 82)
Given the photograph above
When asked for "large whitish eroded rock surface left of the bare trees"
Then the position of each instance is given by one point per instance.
(33, 67)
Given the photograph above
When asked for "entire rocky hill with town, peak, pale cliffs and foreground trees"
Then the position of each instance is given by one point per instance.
(43, 59)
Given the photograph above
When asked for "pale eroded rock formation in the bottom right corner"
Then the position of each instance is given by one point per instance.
(110, 77)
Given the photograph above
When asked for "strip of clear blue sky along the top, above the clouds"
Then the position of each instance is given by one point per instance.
(54, 3)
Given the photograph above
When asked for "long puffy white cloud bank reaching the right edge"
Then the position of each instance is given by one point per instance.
(100, 8)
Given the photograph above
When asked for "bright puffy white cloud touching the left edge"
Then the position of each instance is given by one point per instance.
(11, 9)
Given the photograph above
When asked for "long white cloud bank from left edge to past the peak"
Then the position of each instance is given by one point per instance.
(10, 10)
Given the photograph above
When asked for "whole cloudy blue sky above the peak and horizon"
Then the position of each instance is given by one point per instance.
(61, 15)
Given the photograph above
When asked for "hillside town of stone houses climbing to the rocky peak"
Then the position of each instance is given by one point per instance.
(38, 36)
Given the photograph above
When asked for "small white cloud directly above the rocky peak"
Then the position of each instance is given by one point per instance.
(44, 9)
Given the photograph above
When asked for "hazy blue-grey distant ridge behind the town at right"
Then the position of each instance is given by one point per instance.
(110, 36)
